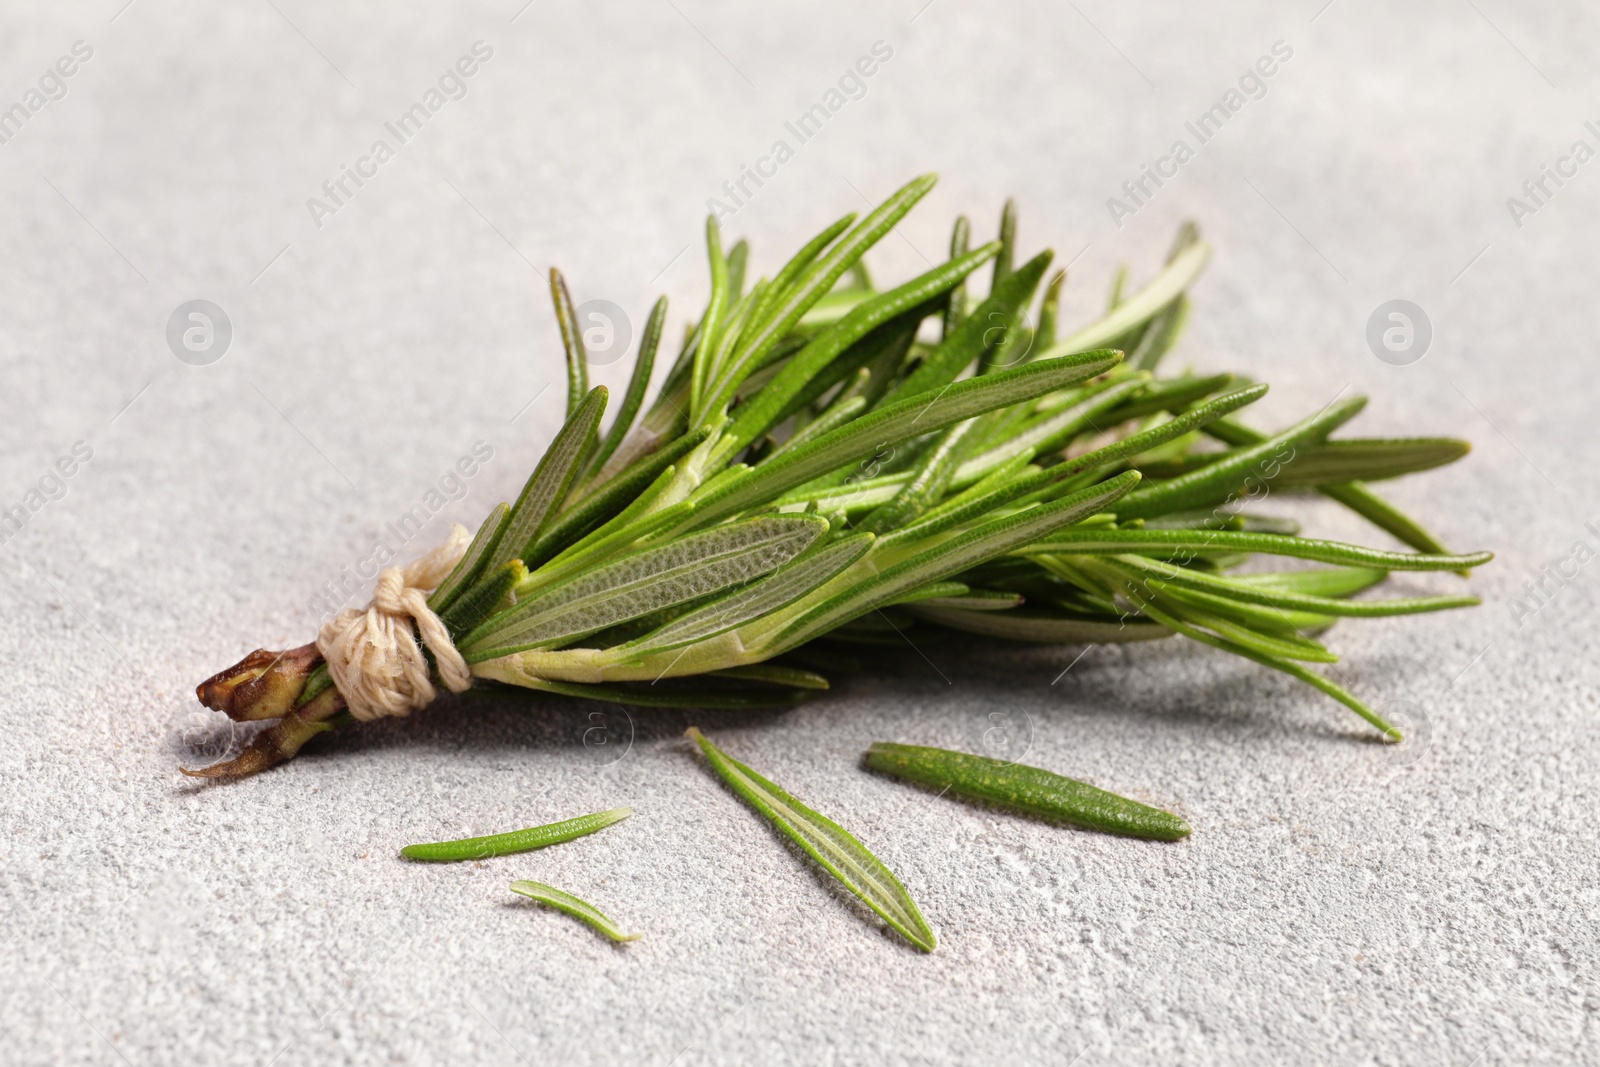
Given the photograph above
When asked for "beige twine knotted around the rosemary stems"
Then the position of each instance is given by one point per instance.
(372, 652)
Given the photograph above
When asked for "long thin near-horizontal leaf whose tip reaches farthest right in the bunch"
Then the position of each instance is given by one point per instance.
(1188, 543)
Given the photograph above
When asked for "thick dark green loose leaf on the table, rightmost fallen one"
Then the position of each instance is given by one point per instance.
(1026, 789)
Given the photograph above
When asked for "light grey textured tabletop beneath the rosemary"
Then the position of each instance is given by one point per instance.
(1340, 901)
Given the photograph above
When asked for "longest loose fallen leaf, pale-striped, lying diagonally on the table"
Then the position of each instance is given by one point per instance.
(828, 844)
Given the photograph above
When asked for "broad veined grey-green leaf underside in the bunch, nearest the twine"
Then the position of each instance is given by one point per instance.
(658, 578)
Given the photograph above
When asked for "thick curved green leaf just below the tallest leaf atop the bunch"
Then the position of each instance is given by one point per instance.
(774, 401)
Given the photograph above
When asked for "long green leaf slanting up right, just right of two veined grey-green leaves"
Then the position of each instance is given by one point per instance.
(951, 557)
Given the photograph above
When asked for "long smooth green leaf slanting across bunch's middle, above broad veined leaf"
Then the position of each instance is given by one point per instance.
(895, 423)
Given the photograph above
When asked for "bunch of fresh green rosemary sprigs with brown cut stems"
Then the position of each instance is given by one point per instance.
(830, 463)
